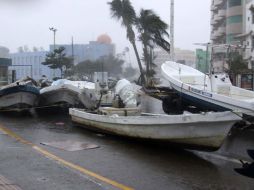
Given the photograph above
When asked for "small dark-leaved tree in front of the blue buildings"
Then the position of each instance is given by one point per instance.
(58, 60)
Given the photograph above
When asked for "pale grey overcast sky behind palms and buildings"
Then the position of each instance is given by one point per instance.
(27, 22)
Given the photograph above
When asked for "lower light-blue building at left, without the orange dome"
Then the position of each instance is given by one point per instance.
(29, 64)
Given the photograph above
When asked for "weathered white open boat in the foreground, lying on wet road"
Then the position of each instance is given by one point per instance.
(206, 130)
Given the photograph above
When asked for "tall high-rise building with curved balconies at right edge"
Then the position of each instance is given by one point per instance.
(232, 23)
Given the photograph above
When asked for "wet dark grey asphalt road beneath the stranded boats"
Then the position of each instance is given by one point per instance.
(134, 164)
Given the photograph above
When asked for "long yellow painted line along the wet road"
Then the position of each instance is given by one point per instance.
(64, 162)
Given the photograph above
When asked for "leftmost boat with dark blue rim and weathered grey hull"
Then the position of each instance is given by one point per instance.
(19, 96)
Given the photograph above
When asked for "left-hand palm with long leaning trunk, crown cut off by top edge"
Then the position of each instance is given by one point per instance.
(124, 11)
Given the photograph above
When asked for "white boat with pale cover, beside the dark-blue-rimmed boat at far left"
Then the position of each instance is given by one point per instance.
(64, 92)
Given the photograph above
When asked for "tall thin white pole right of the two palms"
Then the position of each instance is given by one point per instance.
(172, 18)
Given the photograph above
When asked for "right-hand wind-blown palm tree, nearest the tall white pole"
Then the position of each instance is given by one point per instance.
(152, 32)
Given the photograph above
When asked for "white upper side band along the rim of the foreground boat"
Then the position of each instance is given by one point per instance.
(157, 120)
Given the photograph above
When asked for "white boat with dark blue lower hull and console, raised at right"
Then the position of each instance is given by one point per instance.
(213, 91)
